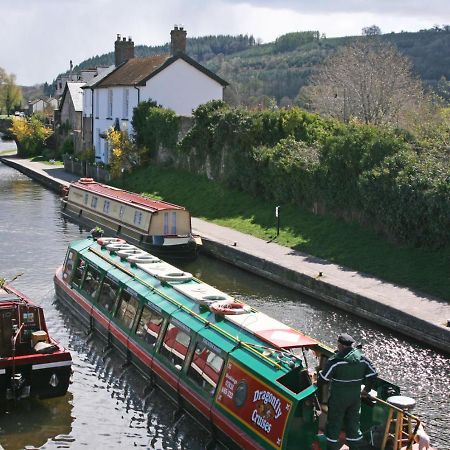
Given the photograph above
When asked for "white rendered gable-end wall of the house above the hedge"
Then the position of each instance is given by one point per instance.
(182, 88)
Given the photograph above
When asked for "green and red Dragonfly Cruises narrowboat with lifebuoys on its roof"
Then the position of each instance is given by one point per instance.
(246, 377)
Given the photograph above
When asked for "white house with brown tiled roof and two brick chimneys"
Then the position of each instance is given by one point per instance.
(174, 81)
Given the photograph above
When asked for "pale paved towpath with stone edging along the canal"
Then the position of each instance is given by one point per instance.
(401, 309)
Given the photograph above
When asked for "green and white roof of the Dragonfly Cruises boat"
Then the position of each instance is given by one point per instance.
(254, 327)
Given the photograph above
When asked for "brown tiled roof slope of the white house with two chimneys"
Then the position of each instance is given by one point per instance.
(133, 71)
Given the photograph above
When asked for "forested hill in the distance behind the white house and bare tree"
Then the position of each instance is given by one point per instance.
(261, 72)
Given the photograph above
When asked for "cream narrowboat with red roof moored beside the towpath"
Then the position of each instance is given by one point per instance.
(154, 225)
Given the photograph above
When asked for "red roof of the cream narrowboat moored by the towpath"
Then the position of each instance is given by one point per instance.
(123, 196)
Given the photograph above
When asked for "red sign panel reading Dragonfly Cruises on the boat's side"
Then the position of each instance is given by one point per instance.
(254, 403)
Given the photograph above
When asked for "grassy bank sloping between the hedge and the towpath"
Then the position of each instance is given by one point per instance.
(342, 243)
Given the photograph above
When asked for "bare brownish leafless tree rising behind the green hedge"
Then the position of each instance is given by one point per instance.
(369, 81)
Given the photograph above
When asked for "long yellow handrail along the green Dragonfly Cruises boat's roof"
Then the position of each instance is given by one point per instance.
(185, 308)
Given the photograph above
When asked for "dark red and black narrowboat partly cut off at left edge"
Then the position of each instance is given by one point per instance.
(32, 363)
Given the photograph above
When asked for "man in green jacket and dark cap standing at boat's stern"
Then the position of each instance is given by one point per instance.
(346, 371)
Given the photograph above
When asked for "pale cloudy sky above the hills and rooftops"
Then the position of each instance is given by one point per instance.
(40, 37)
